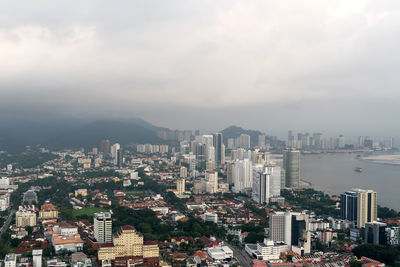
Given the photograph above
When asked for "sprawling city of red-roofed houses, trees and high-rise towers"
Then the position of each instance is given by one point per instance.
(192, 200)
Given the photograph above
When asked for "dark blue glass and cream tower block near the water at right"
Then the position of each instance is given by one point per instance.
(359, 206)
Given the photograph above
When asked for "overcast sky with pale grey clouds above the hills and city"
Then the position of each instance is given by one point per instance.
(309, 65)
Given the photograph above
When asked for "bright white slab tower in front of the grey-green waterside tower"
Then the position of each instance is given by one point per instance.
(266, 183)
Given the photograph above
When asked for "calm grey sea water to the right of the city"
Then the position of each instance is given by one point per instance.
(334, 174)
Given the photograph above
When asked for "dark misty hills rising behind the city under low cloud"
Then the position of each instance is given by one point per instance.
(15, 135)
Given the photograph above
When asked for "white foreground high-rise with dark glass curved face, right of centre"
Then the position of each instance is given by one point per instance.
(291, 228)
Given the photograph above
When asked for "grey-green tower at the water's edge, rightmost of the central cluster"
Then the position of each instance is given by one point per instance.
(291, 164)
